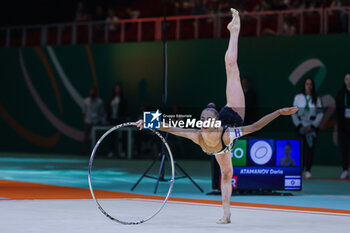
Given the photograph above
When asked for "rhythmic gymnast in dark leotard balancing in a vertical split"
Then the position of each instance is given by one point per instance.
(219, 141)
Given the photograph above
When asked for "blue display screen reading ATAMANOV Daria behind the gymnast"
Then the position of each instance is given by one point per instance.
(266, 164)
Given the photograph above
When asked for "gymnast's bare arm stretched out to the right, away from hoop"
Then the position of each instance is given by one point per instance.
(267, 119)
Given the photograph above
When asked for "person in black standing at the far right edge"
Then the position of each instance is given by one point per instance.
(343, 114)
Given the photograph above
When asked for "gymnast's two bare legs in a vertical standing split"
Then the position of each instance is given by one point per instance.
(235, 100)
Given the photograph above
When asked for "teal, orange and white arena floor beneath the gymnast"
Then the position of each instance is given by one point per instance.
(50, 194)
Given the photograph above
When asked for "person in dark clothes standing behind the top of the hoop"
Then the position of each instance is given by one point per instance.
(116, 115)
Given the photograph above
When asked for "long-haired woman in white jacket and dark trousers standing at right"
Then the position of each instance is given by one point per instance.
(307, 121)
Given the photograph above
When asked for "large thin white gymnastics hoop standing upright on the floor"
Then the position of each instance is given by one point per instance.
(171, 180)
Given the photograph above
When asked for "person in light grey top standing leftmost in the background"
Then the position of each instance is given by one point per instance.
(93, 113)
